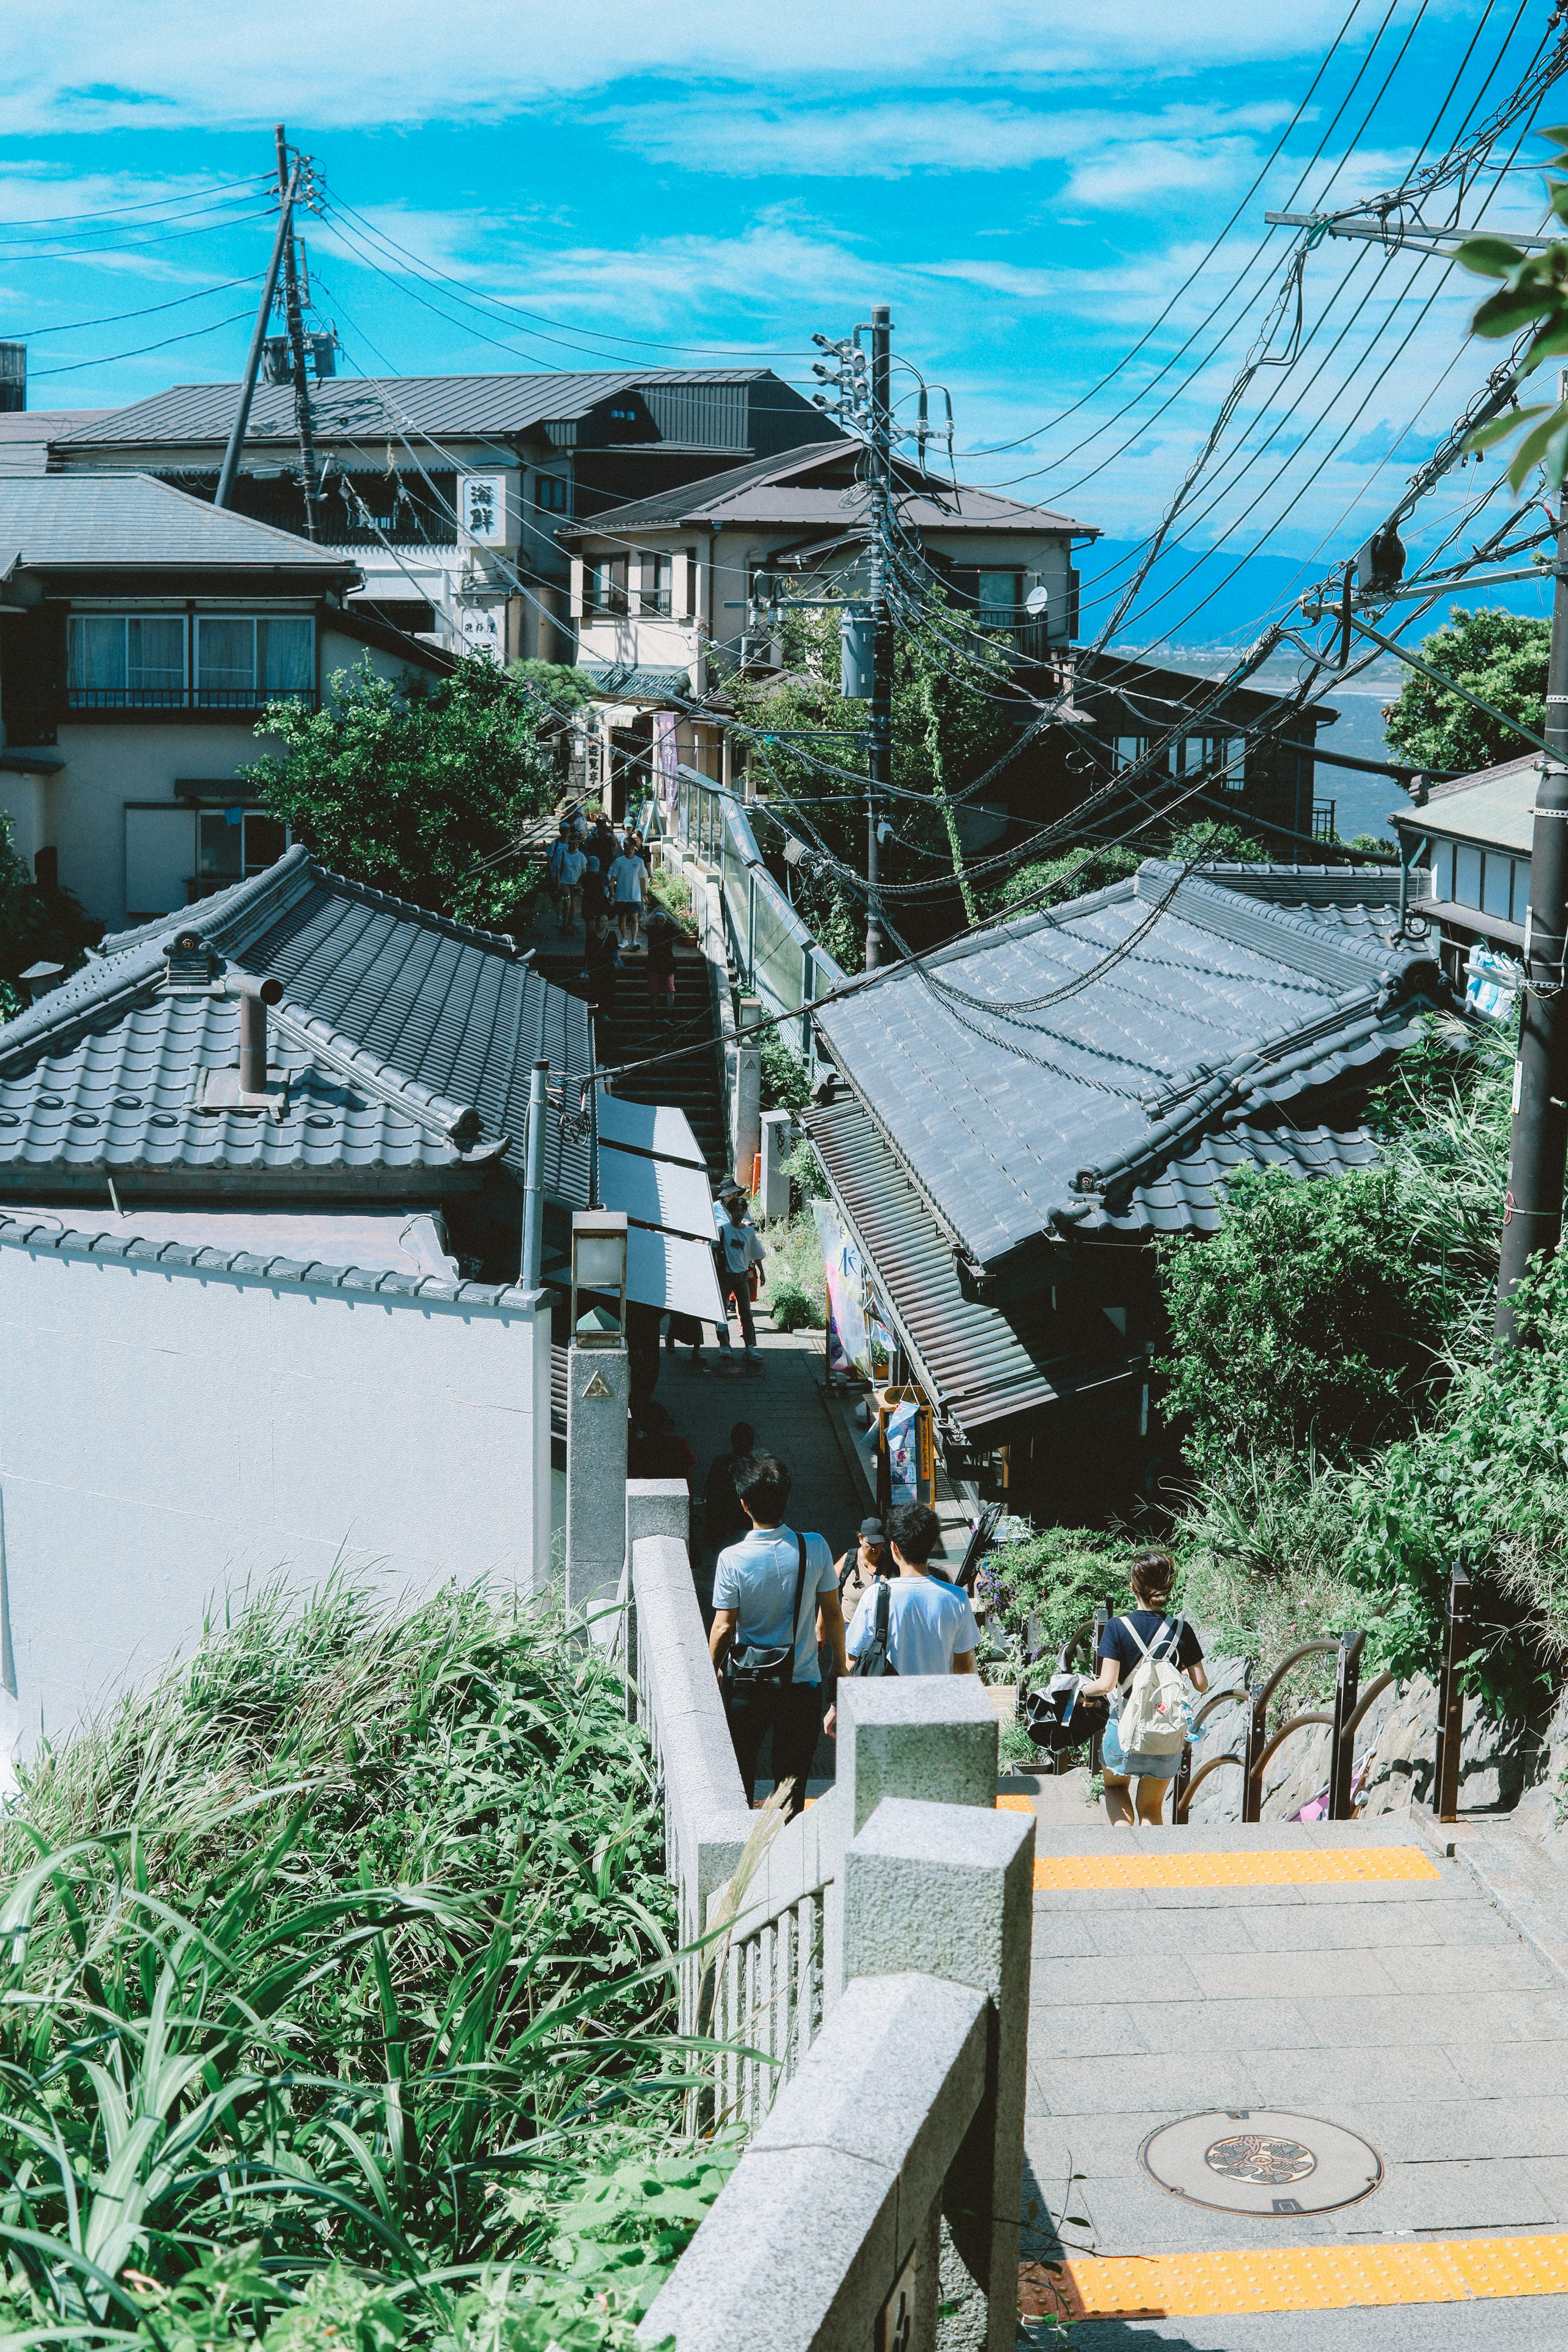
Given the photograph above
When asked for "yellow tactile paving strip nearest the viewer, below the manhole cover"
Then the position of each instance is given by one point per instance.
(1296, 2278)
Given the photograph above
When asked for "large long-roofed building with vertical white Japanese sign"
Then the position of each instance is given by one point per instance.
(448, 490)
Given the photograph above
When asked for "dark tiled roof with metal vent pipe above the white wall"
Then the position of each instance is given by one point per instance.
(408, 1041)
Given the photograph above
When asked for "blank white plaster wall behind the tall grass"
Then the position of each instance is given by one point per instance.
(168, 1436)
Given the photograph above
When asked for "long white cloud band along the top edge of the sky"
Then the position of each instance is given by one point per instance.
(74, 65)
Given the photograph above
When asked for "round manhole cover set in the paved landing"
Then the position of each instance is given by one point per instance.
(1261, 2163)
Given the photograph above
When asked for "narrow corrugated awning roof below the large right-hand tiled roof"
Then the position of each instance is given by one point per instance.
(981, 1365)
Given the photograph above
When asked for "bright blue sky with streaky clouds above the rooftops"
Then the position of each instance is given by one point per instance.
(1028, 187)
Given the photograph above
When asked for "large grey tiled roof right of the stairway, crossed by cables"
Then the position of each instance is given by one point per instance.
(1101, 1067)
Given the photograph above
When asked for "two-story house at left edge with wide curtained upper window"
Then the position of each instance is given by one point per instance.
(142, 636)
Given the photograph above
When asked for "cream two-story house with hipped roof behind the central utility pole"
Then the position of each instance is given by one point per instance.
(662, 587)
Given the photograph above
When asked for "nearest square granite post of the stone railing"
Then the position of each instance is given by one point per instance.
(949, 1892)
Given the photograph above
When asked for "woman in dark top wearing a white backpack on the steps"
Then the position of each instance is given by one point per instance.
(1148, 1655)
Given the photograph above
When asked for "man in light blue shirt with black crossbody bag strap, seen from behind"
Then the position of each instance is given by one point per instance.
(756, 1610)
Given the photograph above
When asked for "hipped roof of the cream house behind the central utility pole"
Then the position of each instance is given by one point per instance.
(805, 488)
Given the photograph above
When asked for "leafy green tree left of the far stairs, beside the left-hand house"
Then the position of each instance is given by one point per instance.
(422, 791)
